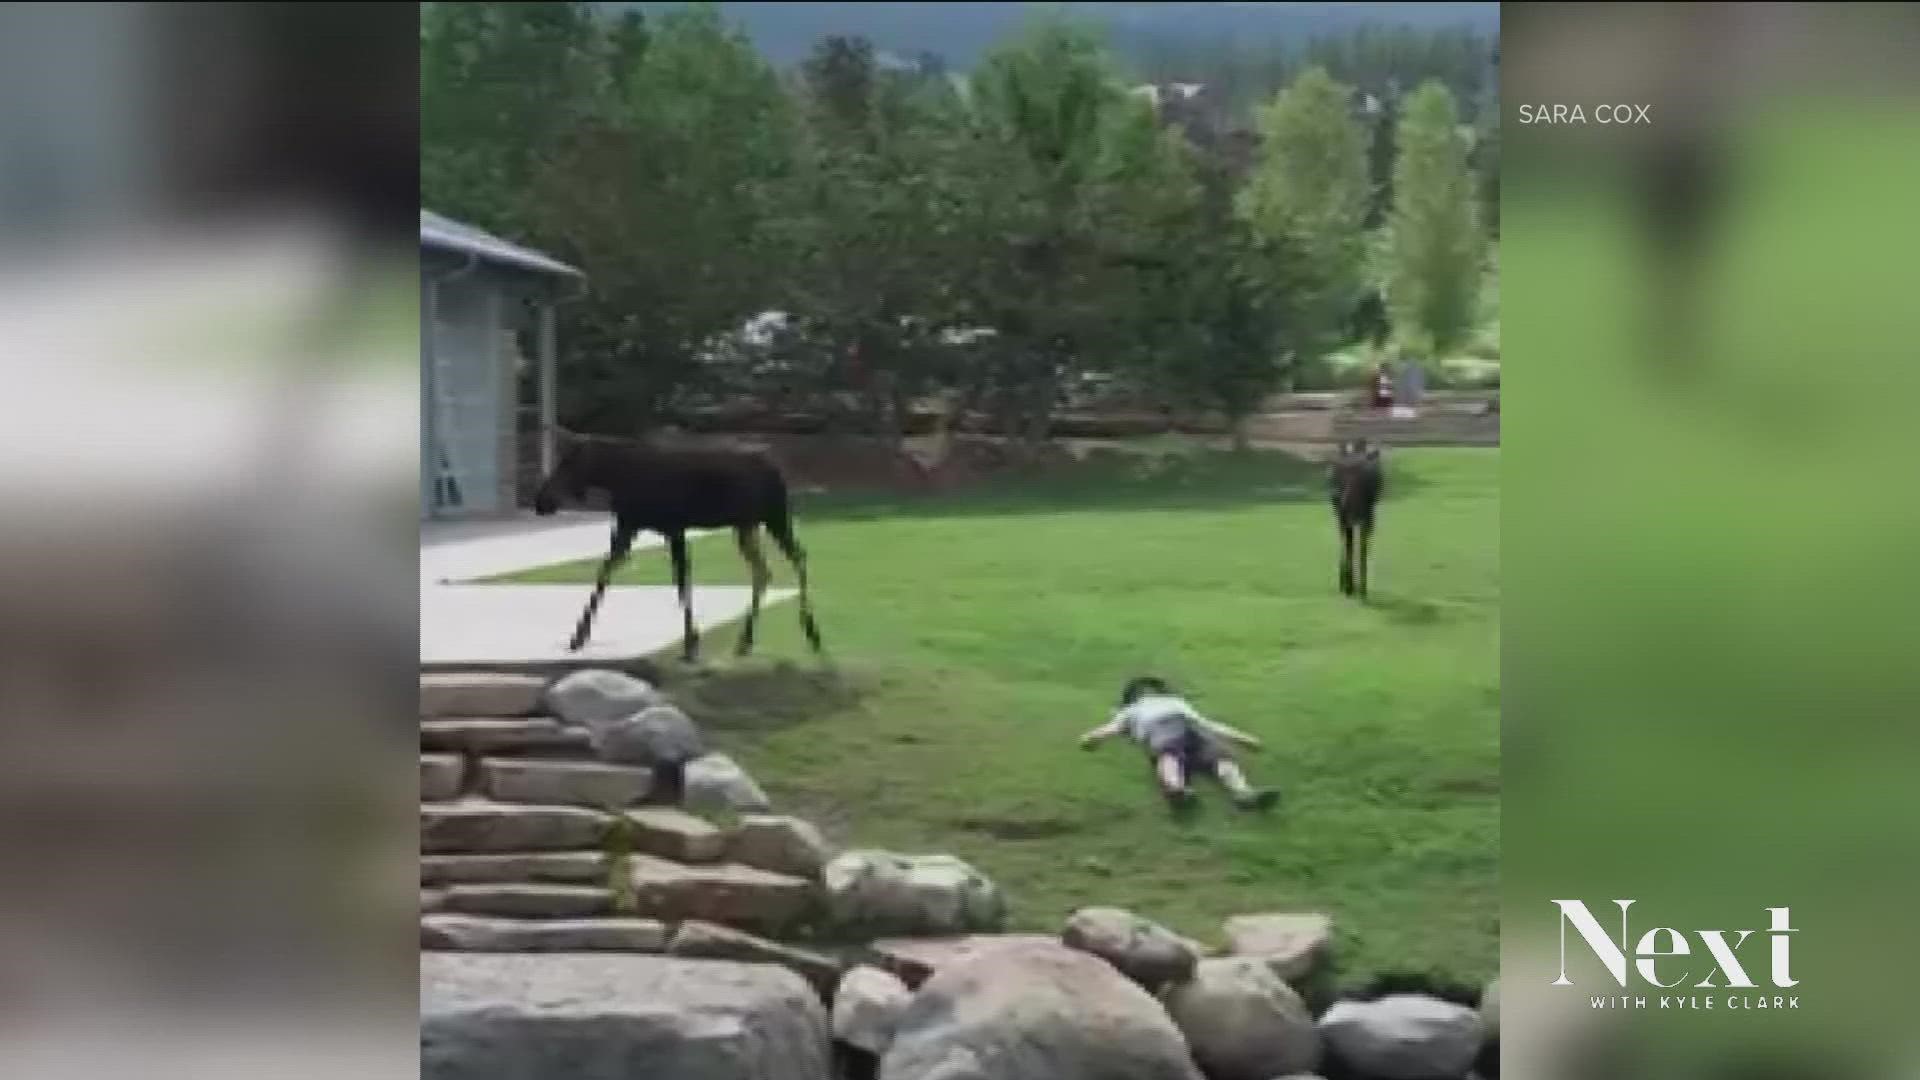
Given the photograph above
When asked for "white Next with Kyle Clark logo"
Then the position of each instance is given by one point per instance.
(1702, 962)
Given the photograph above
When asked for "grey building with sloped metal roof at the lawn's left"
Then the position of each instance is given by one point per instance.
(483, 305)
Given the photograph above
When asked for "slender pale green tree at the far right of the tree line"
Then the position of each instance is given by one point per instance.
(1437, 247)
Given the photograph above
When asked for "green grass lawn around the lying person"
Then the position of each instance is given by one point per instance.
(976, 637)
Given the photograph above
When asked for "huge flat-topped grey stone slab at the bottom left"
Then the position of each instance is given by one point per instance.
(617, 1018)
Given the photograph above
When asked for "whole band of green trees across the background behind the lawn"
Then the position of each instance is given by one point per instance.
(988, 237)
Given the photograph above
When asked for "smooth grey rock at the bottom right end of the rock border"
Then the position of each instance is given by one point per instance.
(1404, 1037)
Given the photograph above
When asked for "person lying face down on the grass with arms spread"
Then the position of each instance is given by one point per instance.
(1180, 743)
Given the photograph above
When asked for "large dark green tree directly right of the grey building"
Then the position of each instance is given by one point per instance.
(665, 199)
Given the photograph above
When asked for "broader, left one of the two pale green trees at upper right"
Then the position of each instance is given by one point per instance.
(1307, 205)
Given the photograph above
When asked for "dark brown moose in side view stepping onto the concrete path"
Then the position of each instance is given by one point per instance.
(673, 493)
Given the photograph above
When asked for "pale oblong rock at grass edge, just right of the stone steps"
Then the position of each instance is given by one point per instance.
(880, 893)
